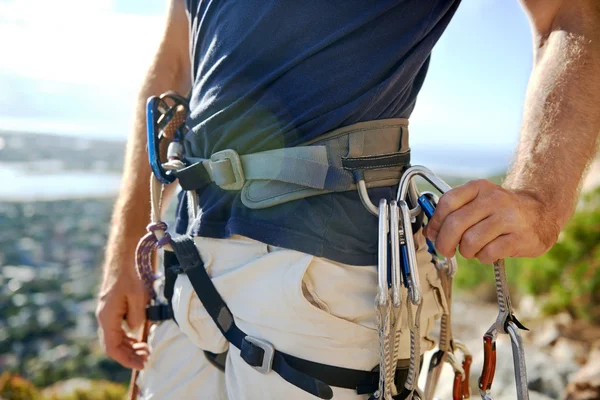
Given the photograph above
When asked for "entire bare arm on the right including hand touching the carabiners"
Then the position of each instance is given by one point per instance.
(561, 126)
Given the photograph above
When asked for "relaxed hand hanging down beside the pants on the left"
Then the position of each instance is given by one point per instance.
(123, 298)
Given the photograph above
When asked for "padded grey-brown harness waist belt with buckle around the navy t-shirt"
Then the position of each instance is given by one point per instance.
(373, 151)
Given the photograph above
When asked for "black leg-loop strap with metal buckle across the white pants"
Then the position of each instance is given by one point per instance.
(312, 377)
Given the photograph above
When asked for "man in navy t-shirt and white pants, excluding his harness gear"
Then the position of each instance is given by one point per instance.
(272, 74)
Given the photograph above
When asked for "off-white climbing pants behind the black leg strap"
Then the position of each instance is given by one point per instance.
(306, 306)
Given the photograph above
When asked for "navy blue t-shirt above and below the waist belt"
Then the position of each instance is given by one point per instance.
(276, 73)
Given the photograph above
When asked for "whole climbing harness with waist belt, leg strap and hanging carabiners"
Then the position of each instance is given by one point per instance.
(341, 160)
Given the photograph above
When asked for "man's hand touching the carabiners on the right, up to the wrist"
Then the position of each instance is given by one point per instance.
(489, 222)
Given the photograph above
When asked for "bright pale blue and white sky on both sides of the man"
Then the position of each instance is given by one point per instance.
(74, 67)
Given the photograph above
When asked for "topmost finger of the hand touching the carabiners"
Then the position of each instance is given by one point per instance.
(452, 201)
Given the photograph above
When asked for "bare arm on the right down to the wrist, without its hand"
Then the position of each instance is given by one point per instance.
(561, 120)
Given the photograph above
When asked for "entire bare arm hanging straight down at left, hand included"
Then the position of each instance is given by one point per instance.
(122, 294)
